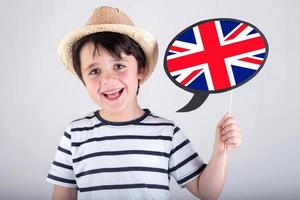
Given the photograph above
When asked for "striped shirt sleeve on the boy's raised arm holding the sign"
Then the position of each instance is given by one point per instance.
(185, 164)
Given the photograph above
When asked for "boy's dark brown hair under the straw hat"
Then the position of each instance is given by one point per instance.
(114, 43)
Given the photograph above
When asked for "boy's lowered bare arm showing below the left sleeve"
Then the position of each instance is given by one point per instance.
(64, 193)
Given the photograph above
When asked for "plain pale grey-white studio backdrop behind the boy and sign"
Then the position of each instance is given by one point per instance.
(39, 97)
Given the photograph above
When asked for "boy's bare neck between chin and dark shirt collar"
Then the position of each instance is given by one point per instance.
(122, 116)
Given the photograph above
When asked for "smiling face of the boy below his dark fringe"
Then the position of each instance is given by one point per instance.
(111, 82)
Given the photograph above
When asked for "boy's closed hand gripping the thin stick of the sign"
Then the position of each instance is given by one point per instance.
(227, 132)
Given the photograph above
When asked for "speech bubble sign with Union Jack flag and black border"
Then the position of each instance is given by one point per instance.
(214, 56)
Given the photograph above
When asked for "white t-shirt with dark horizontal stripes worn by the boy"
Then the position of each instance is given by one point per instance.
(124, 160)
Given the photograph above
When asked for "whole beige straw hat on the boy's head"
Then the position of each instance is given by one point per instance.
(112, 20)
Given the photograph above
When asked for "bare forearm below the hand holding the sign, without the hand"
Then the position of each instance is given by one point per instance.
(212, 179)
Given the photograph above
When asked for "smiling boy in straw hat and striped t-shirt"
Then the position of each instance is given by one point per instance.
(123, 151)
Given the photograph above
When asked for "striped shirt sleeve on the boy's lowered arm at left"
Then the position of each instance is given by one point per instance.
(61, 170)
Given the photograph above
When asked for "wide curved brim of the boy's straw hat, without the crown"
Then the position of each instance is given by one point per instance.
(146, 41)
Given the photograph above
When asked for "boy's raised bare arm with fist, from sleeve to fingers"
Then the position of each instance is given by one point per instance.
(210, 183)
